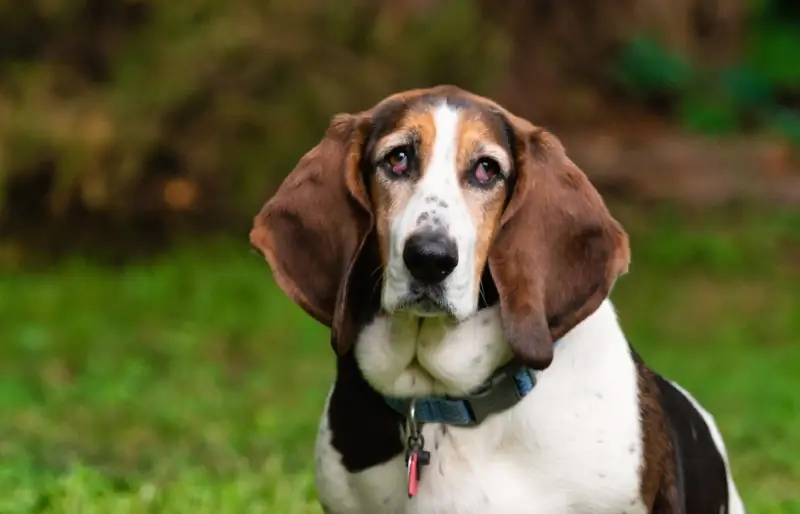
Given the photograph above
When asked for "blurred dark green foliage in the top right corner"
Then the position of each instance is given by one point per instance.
(761, 90)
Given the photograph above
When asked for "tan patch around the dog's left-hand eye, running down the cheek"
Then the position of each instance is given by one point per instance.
(390, 195)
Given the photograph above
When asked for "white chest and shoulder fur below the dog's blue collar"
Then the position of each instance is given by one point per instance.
(573, 445)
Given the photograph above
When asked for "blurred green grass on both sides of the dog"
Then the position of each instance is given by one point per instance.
(191, 385)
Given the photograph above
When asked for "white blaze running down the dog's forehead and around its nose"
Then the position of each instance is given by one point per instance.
(439, 195)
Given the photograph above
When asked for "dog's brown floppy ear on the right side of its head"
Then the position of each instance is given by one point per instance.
(558, 251)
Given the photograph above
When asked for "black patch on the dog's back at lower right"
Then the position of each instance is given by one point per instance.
(701, 477)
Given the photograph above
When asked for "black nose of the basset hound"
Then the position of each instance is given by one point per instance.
(430, 256)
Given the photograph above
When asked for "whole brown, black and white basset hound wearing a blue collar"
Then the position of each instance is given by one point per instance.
(463, 263)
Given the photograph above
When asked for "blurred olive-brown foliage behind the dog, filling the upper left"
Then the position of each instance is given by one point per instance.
(130, 106)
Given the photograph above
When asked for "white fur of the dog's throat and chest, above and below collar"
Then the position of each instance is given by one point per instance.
(573, 445)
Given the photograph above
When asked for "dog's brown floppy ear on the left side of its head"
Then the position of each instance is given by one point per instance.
(312, 230)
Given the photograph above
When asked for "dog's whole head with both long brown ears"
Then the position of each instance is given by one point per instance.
(420, 203)
